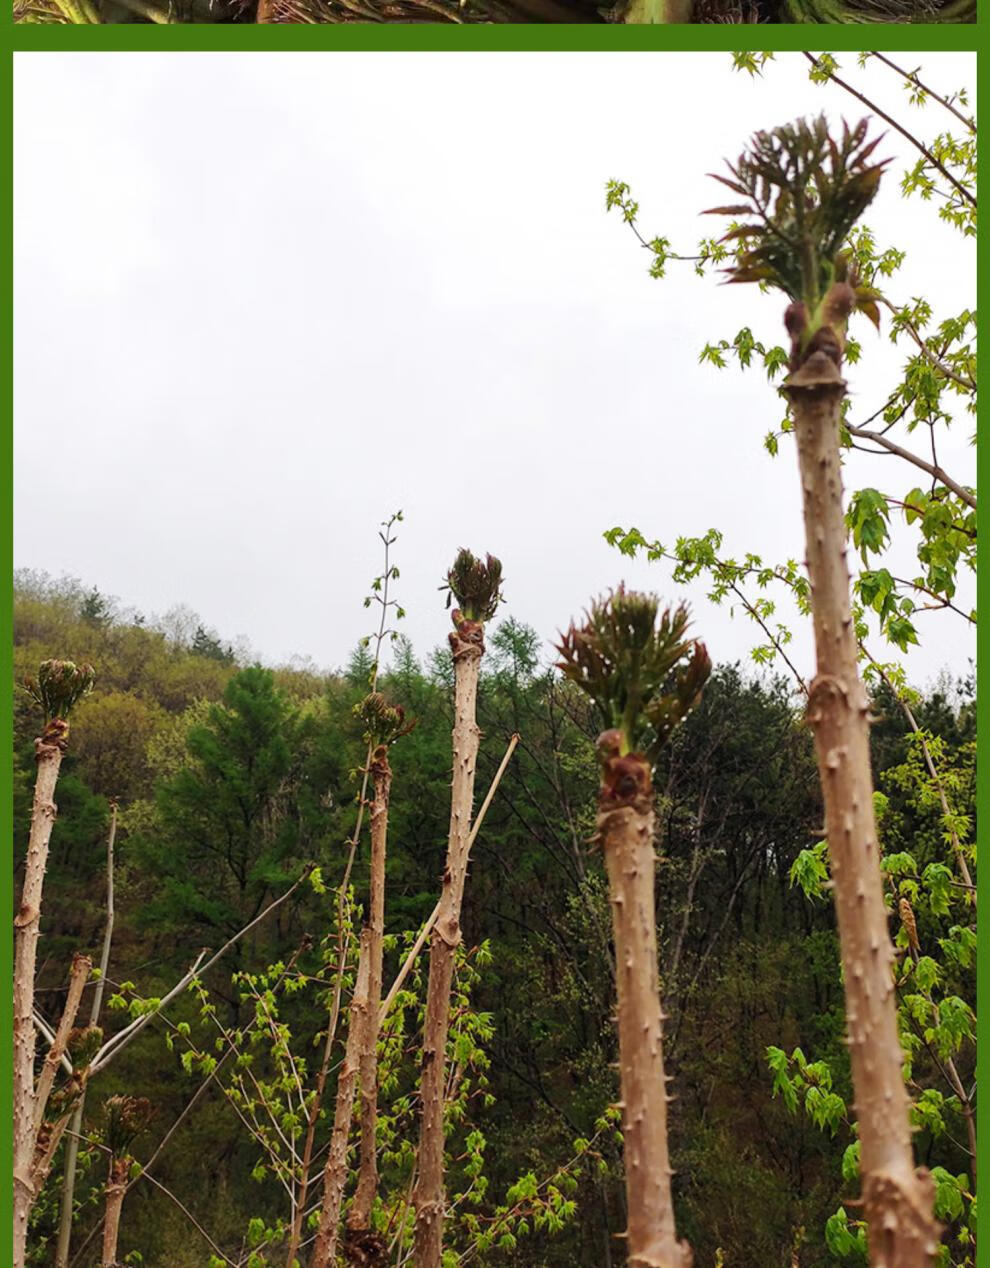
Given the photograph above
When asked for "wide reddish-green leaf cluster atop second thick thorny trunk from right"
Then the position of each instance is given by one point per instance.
(637, 665)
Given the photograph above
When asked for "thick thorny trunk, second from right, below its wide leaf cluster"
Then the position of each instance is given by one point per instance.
(626, 831)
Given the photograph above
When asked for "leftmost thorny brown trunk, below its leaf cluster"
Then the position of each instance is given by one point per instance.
(49, 750)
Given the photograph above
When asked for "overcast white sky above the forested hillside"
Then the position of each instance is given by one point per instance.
(263, 301)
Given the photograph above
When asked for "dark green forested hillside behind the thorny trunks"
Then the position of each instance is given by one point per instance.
(235, 780)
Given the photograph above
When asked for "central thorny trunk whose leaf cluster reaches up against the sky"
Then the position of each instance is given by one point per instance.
(468, 646)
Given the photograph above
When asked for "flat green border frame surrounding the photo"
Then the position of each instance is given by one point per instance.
(453, 39)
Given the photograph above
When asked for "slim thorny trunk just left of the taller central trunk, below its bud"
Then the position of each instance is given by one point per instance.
(361, 1214)
